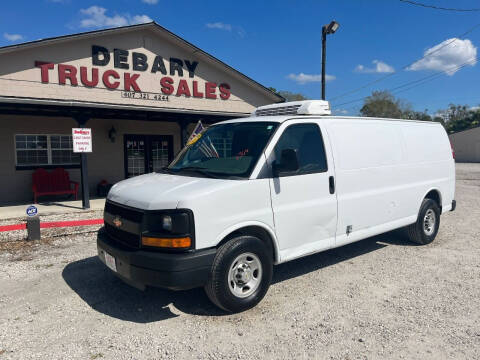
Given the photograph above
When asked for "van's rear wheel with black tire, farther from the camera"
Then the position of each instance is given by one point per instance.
(425, 230)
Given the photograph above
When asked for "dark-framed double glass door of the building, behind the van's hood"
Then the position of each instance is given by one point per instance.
(146, 153)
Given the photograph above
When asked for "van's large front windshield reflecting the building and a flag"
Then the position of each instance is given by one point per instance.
(224, 151)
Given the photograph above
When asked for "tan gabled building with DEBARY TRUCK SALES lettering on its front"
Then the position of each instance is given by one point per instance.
(141, 89)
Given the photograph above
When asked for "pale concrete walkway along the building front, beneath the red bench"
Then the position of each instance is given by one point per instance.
(48, 208)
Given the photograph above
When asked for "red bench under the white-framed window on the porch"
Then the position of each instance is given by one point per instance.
(56, 182)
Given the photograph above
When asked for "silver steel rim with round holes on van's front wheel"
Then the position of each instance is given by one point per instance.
(245, 275)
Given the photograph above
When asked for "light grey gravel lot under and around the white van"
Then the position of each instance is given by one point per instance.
(380, 298)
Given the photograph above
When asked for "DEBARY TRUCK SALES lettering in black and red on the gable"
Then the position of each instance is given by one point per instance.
(134, 65)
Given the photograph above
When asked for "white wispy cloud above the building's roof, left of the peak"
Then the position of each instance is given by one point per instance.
(95, 17)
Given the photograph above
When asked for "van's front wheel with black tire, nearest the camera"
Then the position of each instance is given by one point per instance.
(238, 263)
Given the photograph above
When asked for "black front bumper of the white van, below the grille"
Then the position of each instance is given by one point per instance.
(175, 271)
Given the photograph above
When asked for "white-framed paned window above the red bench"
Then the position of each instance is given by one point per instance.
(41, 150)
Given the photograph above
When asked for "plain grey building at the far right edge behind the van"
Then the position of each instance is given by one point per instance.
(466, 145)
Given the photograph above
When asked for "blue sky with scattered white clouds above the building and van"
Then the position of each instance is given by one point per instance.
(421, 54)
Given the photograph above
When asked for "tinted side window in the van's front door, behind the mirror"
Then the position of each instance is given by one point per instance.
(307, 140)
